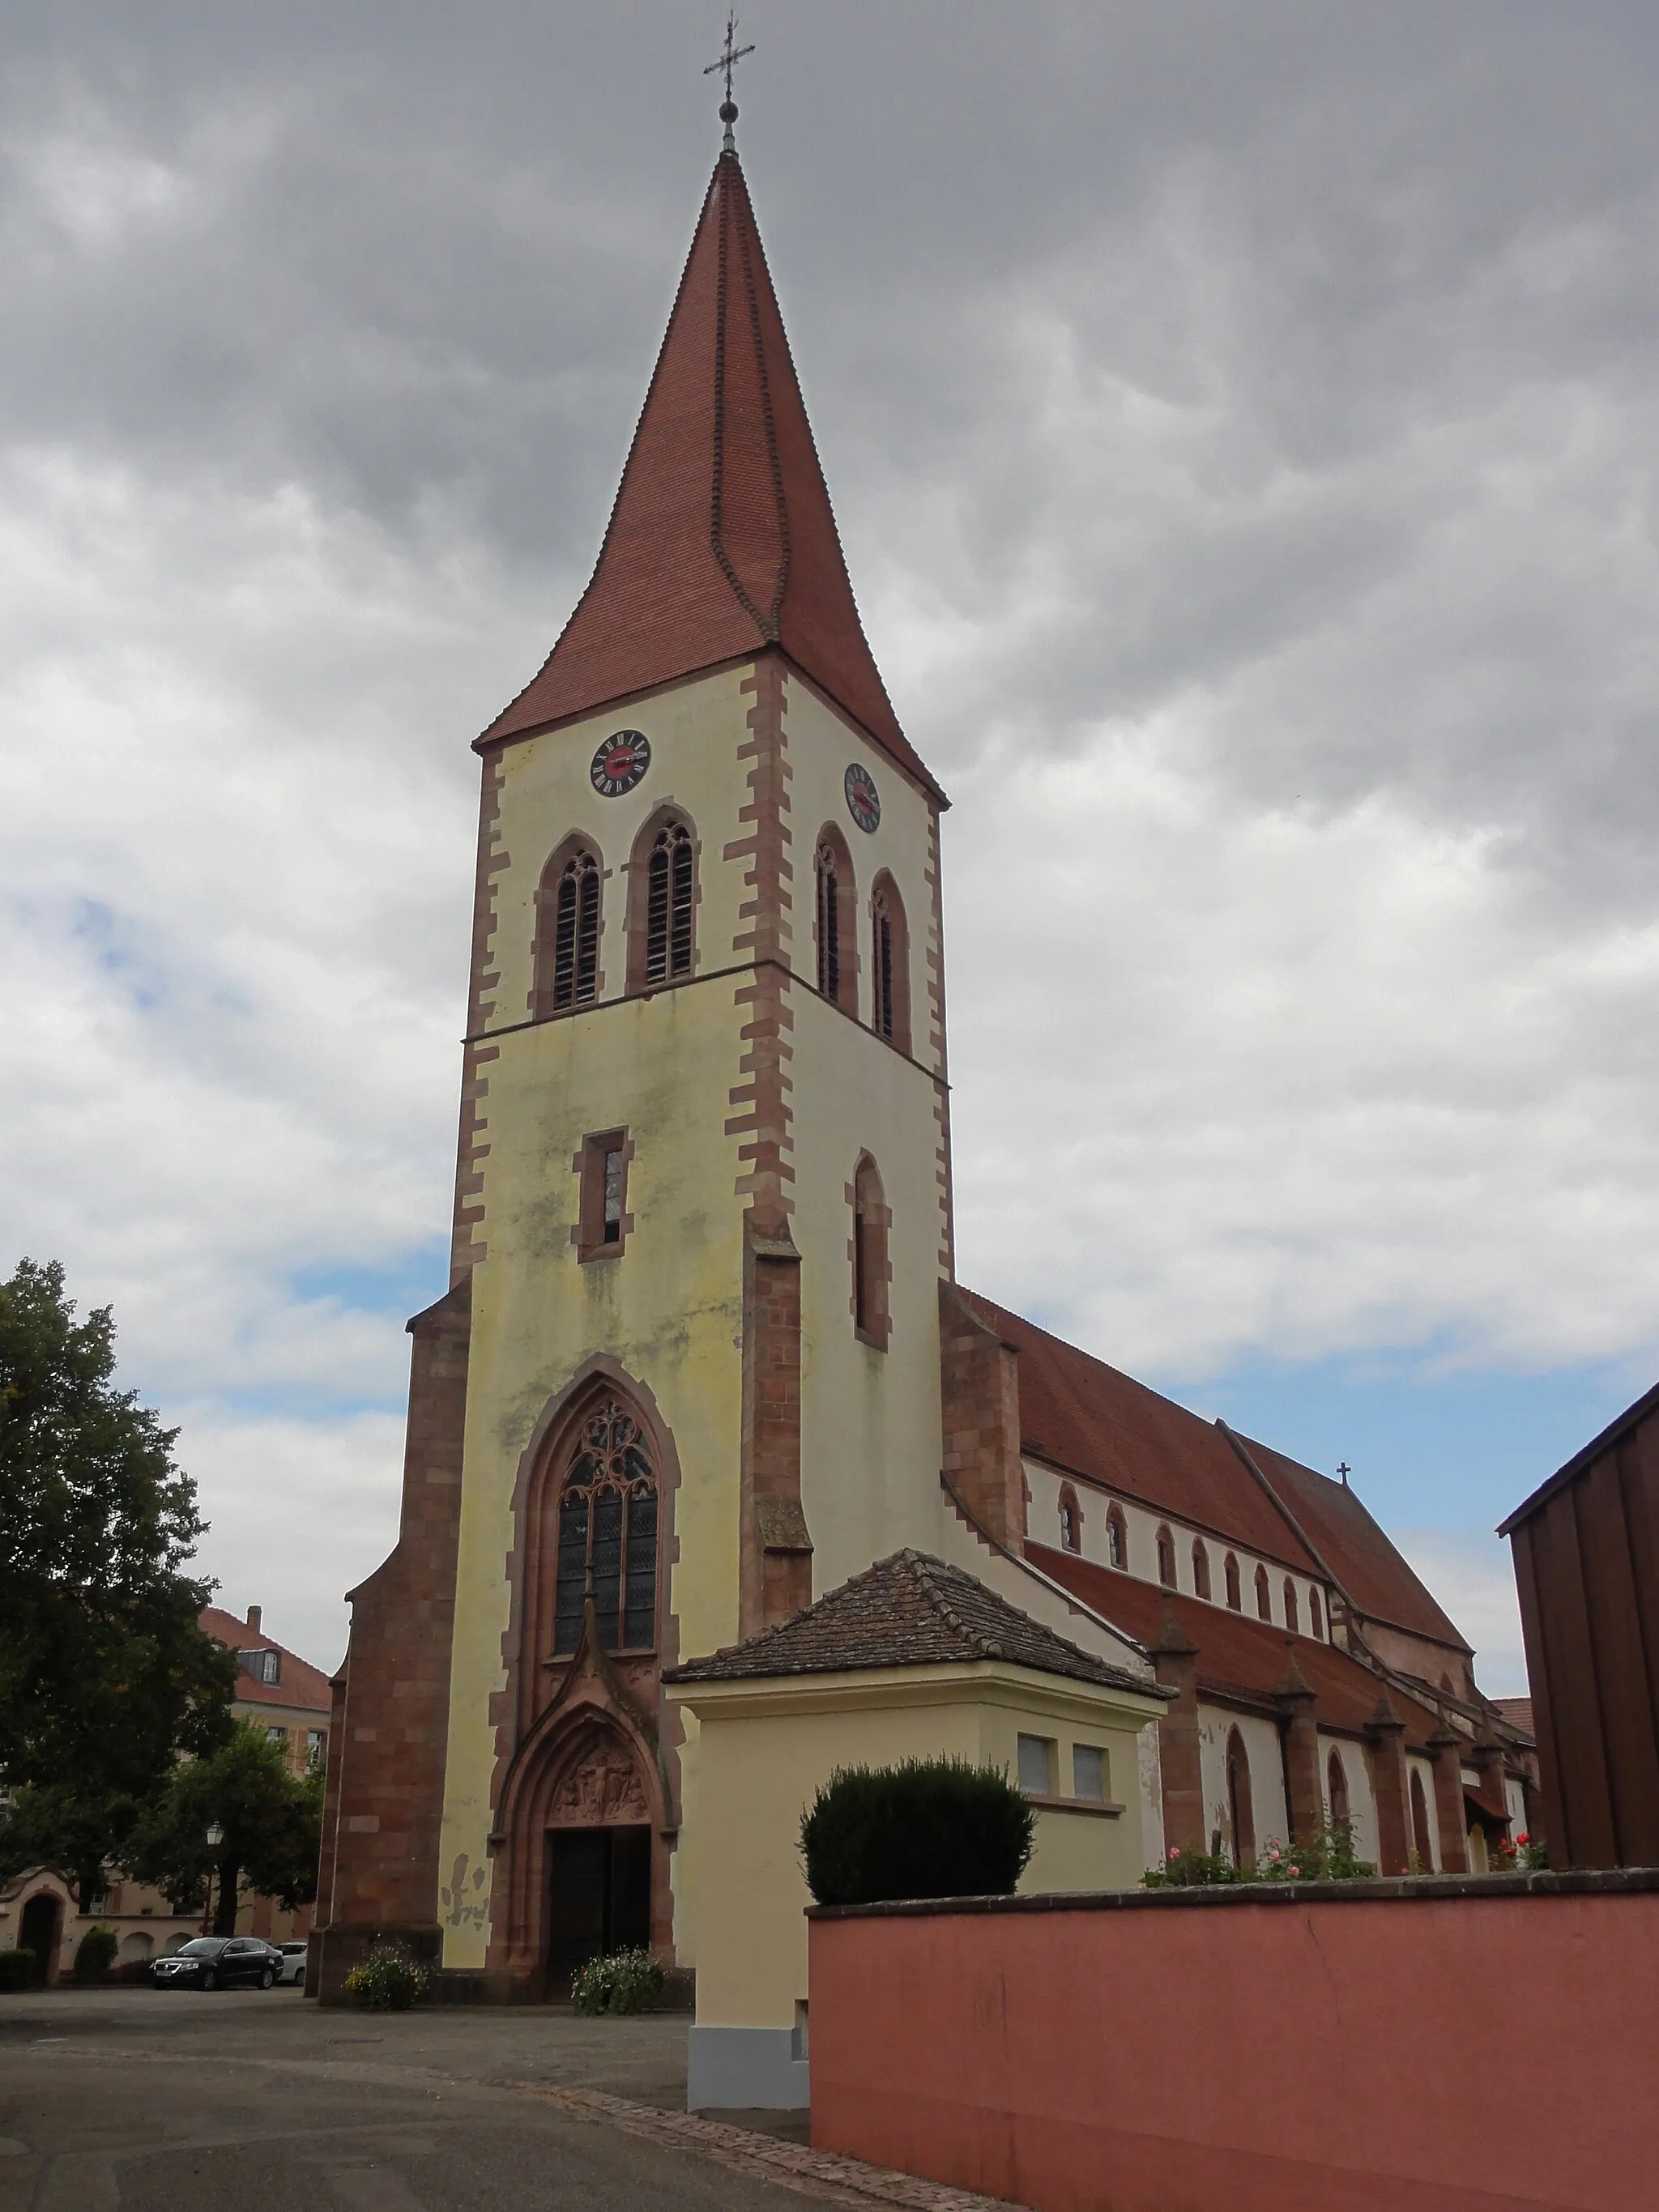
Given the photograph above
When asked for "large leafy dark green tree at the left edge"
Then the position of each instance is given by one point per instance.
(105, 1673)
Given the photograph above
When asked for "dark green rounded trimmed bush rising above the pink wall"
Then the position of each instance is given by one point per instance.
(928, 1828)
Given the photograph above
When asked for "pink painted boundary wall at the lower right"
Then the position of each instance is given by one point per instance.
(1468, 2054)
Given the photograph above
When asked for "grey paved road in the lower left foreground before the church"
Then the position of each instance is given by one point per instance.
(140, 2100)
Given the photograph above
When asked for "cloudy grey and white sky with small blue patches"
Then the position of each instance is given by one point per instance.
(1242, 424)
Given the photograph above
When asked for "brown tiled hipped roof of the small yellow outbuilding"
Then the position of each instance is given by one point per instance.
(908, 1609)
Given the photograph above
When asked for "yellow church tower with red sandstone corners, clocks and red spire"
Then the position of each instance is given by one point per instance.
(687, 1377)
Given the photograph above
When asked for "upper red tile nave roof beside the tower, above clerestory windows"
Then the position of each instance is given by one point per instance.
(1087, 1417)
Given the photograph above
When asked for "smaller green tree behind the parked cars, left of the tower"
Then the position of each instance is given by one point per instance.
(264, 1822)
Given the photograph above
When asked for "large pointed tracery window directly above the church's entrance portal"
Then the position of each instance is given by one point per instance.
(609, 1536)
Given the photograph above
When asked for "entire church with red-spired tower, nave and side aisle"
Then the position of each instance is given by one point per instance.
(705, 1359)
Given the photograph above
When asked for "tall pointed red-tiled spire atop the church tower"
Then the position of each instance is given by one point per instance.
(722, 539)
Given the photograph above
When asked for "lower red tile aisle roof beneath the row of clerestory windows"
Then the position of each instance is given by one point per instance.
(1235, 1653)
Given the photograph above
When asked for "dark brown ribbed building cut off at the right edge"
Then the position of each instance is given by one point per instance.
(1587, 1569)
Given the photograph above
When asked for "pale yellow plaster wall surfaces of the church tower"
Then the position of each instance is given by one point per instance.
(669, 1306)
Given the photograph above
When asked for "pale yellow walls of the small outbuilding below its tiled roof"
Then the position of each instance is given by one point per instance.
(766, 1749)
